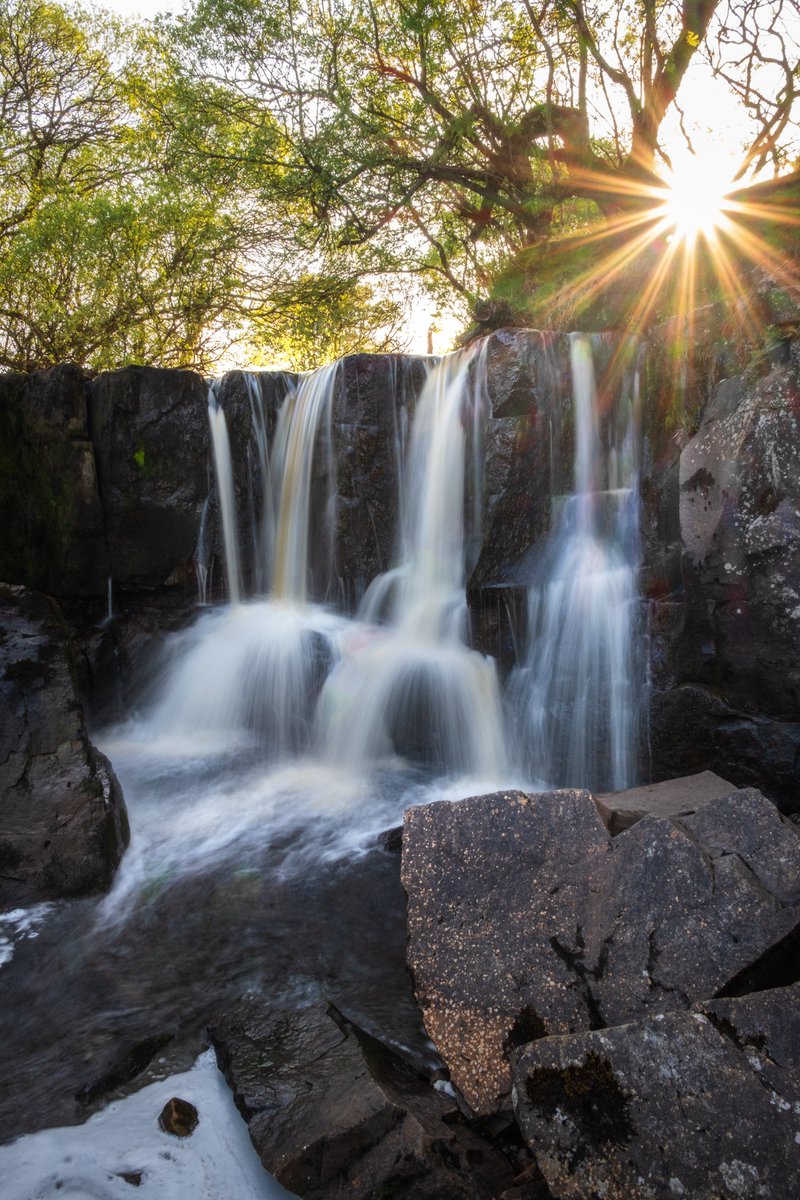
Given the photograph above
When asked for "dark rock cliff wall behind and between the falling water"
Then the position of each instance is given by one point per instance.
(111, 477)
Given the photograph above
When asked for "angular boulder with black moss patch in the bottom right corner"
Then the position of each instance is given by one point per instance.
(700, 1105)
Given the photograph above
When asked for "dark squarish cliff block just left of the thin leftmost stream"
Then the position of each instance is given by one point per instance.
(151, 433)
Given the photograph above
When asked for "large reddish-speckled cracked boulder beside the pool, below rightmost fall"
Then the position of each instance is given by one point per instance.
(527, 919)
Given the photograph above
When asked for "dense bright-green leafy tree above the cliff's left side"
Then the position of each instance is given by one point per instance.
(133, 227)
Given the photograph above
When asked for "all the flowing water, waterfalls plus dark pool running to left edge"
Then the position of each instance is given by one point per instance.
(284, 737)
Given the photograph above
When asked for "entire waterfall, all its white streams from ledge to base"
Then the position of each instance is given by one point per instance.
(400, 681)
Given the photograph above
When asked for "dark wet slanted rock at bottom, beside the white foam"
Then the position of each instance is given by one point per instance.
(334, 1113)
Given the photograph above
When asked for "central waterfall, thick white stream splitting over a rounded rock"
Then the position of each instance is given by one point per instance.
(412, 686)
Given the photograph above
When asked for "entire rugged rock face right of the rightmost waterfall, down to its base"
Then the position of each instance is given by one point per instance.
(726, 667)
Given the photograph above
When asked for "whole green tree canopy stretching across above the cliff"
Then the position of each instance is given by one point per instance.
(276, 172)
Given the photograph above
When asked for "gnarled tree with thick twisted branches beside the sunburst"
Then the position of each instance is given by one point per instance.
(455, 139)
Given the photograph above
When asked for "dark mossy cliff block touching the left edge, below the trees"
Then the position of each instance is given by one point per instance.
(53, 532)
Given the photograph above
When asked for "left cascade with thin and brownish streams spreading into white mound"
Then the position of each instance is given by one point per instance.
(250, 675)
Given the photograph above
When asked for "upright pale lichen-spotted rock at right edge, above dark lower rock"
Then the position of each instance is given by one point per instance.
(741, 526)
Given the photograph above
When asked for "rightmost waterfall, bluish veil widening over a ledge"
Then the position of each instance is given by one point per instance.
(574, 700)
